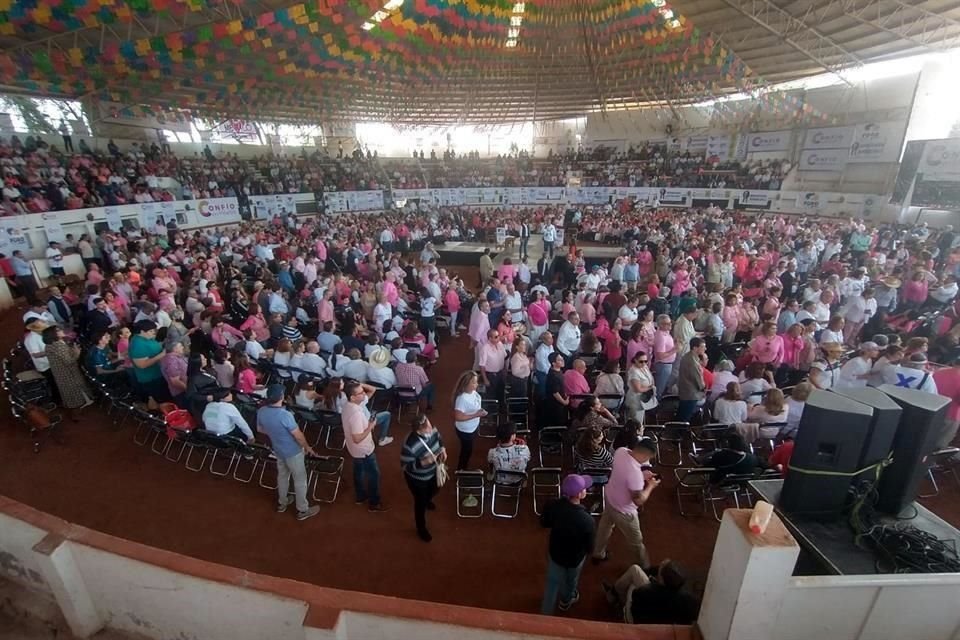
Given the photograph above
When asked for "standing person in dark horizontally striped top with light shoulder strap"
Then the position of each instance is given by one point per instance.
(421, 452)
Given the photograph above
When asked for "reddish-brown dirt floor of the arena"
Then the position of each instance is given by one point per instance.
(100, 479)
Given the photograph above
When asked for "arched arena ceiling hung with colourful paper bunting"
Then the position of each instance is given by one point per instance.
(437, 62)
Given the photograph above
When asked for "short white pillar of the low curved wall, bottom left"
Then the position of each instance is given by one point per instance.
(61, 572)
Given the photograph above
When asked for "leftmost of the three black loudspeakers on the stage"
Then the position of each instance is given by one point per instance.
(831, 439)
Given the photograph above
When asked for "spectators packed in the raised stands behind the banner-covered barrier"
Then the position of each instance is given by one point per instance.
(39, 177)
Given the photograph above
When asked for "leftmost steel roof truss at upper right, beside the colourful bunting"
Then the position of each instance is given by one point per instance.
(805, 39)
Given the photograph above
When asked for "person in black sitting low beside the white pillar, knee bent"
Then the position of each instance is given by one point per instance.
(654, 596)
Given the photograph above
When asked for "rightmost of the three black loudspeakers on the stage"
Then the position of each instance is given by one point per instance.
(920, 424)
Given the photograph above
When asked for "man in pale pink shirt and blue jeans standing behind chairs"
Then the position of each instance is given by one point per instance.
(358, 428)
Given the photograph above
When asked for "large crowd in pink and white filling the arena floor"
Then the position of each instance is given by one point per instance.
(704, 315)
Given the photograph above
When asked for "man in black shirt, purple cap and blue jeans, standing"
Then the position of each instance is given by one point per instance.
(571, 539)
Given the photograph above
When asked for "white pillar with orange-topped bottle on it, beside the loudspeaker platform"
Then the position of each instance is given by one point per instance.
(748, 579)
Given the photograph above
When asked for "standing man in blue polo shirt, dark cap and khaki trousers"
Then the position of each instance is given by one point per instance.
(291, 448)
